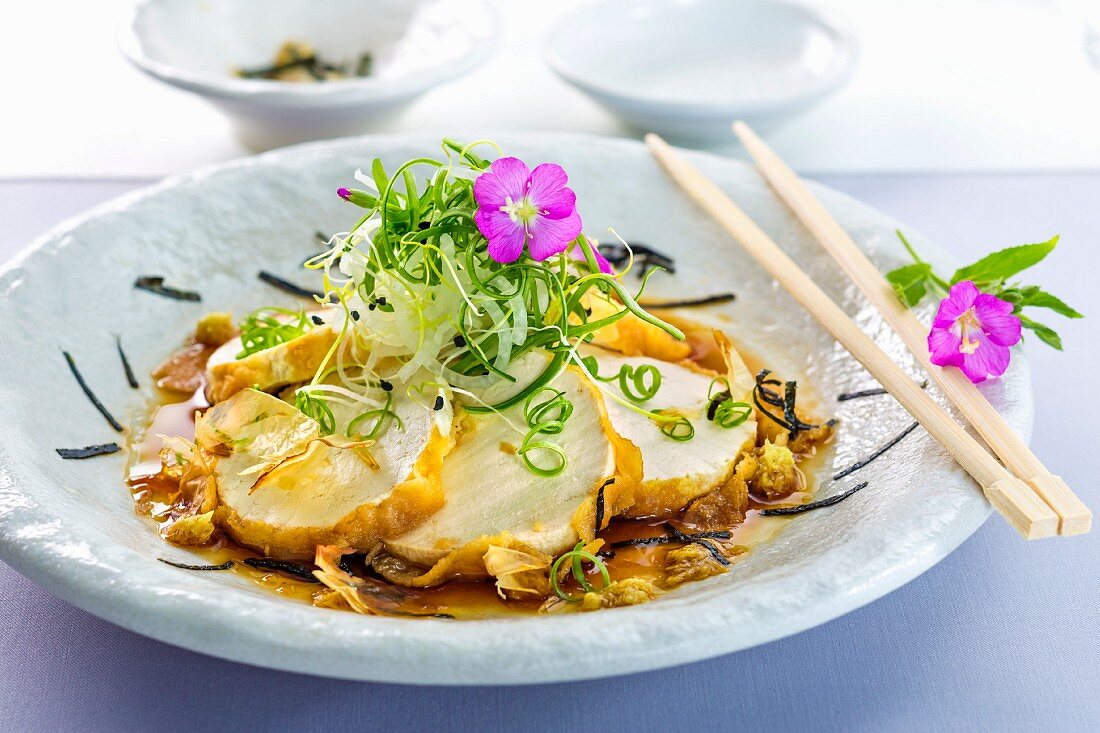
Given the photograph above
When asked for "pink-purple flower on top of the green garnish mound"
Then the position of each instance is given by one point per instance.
(519, 207)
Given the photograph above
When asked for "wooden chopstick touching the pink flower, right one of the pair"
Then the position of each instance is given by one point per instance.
(1075, 518)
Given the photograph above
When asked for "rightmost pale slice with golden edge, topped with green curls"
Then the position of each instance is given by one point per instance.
(675, 473)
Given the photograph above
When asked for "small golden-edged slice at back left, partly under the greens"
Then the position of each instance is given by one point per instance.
(295, 362)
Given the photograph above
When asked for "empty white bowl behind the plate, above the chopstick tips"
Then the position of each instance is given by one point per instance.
(688, 69)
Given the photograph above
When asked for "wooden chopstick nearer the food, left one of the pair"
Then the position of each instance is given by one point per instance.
(1009, 496)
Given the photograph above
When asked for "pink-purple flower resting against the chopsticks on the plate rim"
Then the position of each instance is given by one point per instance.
(973, 331)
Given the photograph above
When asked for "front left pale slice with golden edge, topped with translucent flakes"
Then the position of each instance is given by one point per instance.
(284, 490)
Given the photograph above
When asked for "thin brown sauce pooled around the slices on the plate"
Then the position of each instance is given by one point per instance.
(156, 496)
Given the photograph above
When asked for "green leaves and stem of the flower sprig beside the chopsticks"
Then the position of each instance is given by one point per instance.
(993, 275)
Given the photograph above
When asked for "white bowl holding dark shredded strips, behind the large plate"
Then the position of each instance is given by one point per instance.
(416, 45)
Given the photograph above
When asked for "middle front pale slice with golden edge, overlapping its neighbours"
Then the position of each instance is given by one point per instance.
(492, 500)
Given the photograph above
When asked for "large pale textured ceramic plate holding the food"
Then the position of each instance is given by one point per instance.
(72, 528)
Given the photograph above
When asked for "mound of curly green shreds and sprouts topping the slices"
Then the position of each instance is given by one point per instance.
(422, 290)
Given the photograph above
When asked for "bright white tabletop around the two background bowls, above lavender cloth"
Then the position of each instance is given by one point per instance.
(943, 85)
